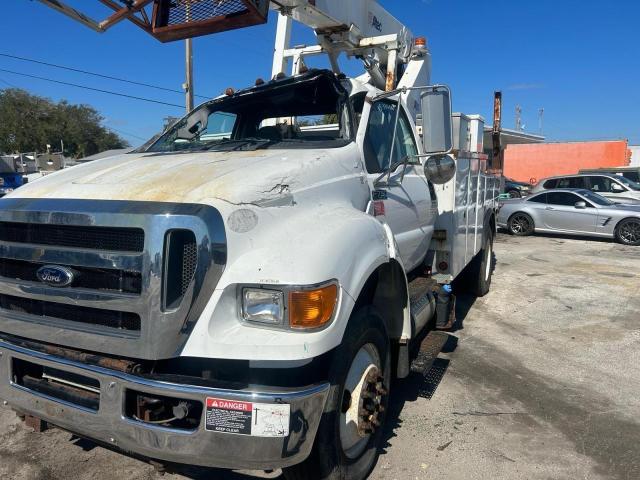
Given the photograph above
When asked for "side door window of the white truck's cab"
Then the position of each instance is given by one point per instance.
(379, 137)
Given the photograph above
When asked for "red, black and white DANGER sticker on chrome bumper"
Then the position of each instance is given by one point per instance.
(247, 418)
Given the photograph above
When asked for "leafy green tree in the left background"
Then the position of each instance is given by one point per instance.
(29, 123)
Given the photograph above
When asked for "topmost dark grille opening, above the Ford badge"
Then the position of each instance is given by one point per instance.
(95, 238)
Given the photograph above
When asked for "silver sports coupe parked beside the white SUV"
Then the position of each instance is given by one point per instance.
(574, 212)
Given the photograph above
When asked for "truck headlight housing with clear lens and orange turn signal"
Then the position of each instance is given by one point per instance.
(290, 307)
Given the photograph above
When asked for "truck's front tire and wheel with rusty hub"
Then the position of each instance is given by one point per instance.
(351, 430)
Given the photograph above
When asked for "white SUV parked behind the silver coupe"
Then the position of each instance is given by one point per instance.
(615, 187)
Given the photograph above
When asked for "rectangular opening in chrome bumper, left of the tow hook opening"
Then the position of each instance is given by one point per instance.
(70, 388)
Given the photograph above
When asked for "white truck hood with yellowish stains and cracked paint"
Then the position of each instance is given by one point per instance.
(262, 177)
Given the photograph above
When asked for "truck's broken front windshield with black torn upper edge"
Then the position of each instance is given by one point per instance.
(292, 113)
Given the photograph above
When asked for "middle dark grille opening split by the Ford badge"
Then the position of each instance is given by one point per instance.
(92, 278)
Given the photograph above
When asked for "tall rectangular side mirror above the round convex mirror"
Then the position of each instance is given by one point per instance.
(437, 125)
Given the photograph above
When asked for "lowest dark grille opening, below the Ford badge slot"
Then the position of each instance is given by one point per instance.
(85, 315)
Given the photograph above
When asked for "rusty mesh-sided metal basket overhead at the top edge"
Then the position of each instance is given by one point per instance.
(180, 19)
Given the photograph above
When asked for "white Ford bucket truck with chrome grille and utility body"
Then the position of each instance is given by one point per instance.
(240, 293)
